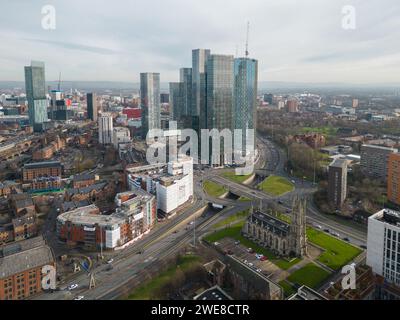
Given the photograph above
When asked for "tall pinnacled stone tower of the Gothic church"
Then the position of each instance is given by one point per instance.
(298, 238)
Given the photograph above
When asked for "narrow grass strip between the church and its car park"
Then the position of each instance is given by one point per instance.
(234, 232)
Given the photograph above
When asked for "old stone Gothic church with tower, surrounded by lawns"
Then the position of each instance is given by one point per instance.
(282, 238)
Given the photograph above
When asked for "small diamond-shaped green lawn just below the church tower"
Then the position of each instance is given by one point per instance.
(310, 275)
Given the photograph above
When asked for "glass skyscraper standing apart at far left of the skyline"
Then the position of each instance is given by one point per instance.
(35, 86)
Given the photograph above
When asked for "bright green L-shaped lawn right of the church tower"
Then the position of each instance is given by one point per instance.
(337, 252)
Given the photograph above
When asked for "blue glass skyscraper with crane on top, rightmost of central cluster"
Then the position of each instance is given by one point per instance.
(245, 96)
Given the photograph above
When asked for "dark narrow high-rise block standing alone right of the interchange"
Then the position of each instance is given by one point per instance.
(337, 183)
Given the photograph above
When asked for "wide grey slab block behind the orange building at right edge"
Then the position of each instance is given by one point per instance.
(374, 160)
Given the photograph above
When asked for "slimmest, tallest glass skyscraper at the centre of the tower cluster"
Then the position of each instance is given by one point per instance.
(199, 60)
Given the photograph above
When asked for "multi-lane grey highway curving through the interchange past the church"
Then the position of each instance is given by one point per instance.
(130, 268)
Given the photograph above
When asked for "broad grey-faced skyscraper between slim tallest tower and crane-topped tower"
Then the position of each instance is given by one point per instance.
(219, 92)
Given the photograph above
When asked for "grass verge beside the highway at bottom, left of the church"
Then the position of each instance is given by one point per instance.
(148, 290)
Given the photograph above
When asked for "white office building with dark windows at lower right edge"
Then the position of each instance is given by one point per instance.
(383, 253)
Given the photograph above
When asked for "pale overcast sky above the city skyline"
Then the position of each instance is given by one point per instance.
(115, 40)
